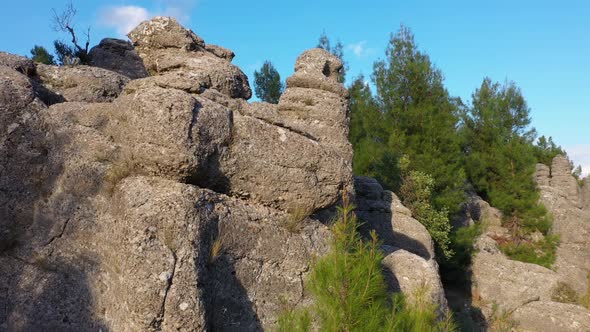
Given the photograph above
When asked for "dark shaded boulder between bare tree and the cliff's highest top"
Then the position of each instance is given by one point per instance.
(119, 56)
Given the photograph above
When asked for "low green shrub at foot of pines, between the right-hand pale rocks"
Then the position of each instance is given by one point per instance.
(541, 253)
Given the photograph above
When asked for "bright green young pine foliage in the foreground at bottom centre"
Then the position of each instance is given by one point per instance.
(350, 293)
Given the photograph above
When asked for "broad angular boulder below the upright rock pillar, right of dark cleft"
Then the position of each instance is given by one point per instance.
(262, 165)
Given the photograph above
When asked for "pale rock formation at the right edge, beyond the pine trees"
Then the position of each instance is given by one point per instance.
(527, 291)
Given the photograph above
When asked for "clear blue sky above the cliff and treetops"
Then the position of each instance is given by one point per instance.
(544, 46)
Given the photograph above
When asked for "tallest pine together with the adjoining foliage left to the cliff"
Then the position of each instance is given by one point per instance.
(417, 118)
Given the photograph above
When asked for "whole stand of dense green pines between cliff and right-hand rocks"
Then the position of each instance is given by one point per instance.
(488, 145)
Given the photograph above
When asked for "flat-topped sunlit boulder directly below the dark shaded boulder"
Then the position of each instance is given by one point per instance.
(81, 83)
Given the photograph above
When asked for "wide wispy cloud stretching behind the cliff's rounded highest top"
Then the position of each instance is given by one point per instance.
(124, 18)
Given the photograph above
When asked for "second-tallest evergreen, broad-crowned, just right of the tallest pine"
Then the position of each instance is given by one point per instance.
(501, 157)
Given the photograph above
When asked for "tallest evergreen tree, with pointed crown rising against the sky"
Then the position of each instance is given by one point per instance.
(421, 117)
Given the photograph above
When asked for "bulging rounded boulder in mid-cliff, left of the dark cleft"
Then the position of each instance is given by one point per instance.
(171, 134)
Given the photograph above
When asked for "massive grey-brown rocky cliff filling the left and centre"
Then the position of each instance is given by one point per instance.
(145, 193)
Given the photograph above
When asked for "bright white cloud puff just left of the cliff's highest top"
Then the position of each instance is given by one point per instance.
(123, 18)
